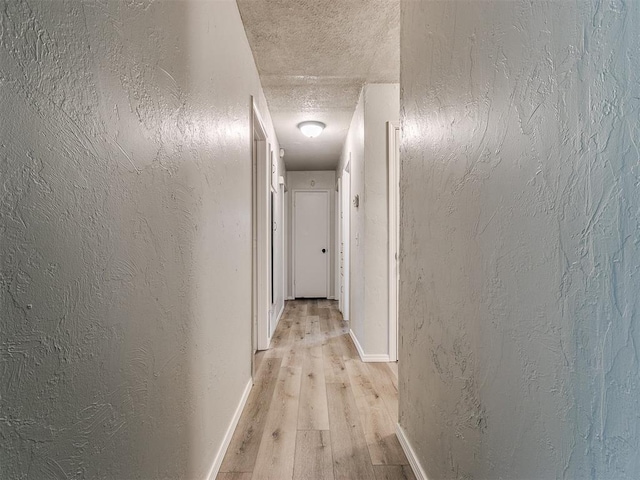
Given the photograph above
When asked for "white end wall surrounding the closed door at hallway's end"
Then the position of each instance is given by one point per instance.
(323, 180)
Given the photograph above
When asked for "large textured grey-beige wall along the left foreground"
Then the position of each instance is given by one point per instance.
(125, 231)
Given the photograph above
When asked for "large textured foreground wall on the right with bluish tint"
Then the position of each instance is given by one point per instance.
(520, 302)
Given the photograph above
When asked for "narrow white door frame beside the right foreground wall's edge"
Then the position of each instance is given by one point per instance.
(393, 166)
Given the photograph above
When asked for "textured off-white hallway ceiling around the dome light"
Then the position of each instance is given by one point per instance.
(313, 57)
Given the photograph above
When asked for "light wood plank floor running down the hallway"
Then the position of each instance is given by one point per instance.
(316, 411)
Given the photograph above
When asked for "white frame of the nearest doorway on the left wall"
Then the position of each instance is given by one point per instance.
(261, 171)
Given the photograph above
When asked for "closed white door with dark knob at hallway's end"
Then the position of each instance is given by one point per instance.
(310, 243)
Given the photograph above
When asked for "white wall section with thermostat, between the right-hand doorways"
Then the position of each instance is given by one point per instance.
(367, 144)
